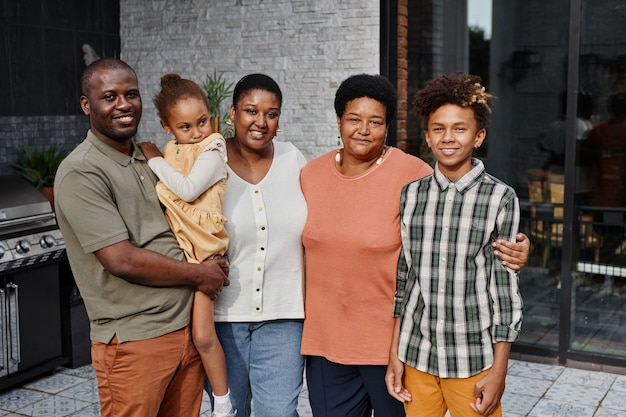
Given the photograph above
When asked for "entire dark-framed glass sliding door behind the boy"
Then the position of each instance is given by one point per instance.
(558, 136)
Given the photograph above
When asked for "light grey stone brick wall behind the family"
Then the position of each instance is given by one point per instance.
(308, 47)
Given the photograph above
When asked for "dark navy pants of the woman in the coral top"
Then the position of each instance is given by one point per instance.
(337, 390)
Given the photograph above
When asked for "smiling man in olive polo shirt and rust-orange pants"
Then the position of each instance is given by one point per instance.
(134, 279)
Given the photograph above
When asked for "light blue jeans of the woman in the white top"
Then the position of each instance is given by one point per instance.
(263, 362)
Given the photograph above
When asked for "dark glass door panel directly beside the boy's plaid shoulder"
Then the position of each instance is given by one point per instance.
(528, 72)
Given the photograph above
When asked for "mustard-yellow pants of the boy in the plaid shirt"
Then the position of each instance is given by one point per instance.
(433, 396)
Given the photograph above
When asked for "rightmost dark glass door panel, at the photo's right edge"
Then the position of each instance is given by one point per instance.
(600, 253)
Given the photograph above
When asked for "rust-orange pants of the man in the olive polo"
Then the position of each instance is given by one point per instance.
(161, 377)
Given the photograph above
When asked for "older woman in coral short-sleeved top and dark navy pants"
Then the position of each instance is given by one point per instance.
(352, 243)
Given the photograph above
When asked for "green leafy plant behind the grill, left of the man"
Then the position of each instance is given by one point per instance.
(39, 166)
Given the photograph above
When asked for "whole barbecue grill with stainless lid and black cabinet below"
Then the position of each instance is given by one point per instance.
(32, 250)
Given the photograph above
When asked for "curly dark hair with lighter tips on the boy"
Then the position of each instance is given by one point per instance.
(460, 89)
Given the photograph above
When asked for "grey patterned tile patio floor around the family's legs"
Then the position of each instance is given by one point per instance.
(533, 390)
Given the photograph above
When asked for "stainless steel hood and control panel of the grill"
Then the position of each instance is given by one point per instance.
(29, 234)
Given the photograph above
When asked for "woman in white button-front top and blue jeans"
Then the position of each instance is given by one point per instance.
(259, 319)
